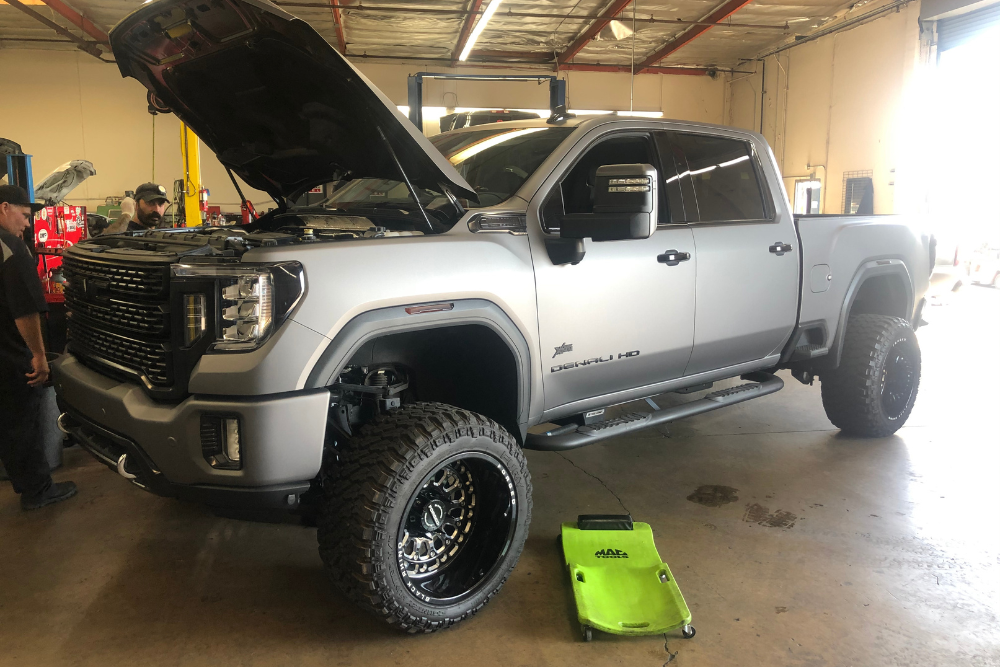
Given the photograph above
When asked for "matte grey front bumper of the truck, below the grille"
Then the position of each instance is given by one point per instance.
(282, 437)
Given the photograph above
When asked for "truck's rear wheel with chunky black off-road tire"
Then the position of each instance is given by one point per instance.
(871, 393)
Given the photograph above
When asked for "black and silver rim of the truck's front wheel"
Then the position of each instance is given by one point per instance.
(457, 528)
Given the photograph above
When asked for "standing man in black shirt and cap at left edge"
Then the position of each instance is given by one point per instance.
(23, 367)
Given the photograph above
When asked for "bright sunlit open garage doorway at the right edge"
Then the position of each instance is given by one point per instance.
(949, 146)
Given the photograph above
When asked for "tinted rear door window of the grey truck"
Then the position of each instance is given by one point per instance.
(724, 177)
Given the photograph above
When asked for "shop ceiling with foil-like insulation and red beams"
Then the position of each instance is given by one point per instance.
(682, 36)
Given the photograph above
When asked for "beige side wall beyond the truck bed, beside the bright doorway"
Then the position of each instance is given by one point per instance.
(837, 105)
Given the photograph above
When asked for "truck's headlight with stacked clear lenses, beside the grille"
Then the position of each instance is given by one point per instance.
(252, 300)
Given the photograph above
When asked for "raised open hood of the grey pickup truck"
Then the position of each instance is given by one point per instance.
(273, 100)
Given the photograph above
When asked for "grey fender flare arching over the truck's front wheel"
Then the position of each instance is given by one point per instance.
(380, 322)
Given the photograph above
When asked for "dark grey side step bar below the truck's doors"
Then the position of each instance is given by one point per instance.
(572, 436)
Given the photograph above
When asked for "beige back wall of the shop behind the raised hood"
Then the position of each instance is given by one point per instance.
(67, 105)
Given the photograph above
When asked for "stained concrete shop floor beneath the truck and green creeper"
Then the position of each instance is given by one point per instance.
(837, 551)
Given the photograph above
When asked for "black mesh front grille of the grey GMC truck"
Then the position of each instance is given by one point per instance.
(120, 320)
